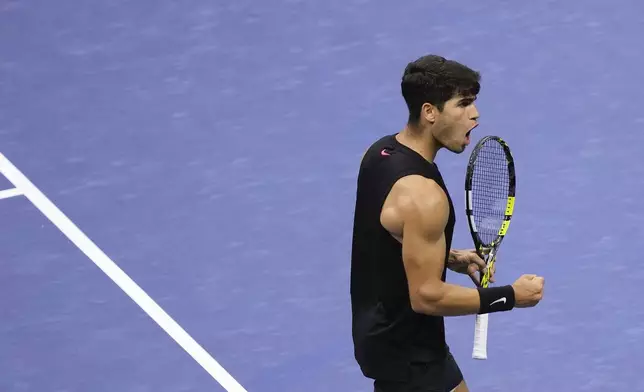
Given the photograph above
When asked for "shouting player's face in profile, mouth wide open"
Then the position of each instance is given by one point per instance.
(453, 125)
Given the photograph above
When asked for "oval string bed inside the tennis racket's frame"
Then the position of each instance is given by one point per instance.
(490, 189)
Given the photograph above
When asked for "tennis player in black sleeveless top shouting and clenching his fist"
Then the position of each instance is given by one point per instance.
(402, 237)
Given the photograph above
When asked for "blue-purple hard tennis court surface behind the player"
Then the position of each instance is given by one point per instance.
(210, 149)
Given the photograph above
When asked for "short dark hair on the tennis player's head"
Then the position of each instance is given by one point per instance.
(434, 79)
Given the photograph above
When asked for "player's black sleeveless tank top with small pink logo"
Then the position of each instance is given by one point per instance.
(387, 333)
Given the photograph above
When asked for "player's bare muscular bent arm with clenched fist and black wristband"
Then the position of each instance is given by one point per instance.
(423, 210)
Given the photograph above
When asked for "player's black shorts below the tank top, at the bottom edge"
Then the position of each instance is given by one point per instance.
(438, 376)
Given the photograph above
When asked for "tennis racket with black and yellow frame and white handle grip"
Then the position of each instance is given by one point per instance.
(490, 185)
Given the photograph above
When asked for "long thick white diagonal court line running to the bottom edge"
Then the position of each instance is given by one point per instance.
(140, 297)
